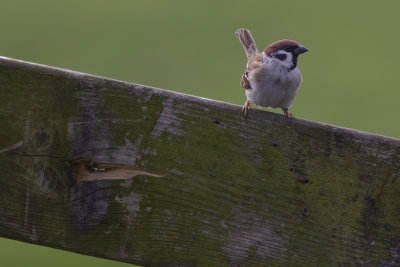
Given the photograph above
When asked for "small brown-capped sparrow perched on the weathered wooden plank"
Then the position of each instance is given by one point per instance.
(272, 77)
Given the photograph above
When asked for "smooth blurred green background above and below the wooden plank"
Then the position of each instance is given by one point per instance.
(350, 75)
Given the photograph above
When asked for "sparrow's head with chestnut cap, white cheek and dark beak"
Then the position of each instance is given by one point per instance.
(285, 53)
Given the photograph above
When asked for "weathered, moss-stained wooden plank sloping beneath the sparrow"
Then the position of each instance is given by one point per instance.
(226, 191)
